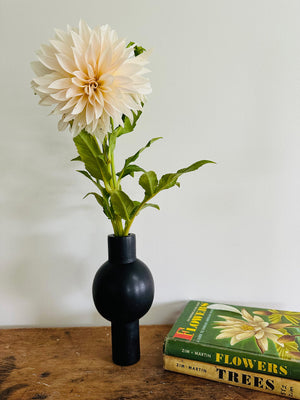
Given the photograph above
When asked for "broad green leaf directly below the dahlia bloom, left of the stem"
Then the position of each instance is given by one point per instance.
(90, 154)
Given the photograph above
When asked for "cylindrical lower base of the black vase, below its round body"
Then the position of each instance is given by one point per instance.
(125, 342)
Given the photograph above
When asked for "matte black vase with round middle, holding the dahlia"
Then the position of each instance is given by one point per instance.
(123, 291)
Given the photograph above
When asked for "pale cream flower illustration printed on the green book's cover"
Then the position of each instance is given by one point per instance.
(249, 327)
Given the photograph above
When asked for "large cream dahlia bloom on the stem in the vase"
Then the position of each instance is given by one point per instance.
(90, 76)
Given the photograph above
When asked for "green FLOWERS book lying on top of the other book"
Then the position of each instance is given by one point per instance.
(247, 338)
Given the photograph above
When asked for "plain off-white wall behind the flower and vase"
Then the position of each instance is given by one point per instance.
(226, 85)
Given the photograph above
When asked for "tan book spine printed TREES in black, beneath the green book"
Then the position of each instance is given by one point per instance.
(250, 380)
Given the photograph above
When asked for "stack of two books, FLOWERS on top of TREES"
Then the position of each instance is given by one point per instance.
(255, 348)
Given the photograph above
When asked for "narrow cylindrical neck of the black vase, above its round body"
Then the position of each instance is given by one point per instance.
(121, 249)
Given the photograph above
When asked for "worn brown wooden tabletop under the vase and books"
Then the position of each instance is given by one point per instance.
(75, 363)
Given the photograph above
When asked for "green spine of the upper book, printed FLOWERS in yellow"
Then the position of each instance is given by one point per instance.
(231, 358)
